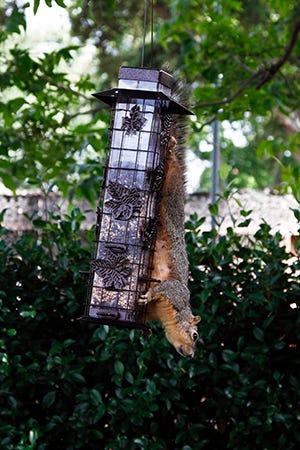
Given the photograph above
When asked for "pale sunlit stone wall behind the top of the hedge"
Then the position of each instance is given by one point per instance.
(274, 209)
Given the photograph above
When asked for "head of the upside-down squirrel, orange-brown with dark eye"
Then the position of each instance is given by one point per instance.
(183, 335)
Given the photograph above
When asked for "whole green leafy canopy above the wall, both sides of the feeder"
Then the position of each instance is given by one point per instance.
(239, 58)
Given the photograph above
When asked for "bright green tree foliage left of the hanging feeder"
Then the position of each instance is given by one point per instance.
(46, 140)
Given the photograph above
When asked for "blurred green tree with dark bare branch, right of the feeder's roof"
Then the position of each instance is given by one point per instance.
(241, 61)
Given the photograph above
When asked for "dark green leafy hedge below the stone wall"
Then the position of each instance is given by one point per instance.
(71, 385)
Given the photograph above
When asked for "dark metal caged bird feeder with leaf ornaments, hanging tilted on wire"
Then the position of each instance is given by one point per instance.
(142, 109)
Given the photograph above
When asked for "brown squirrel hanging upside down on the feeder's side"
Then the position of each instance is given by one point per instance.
(169, 300)
